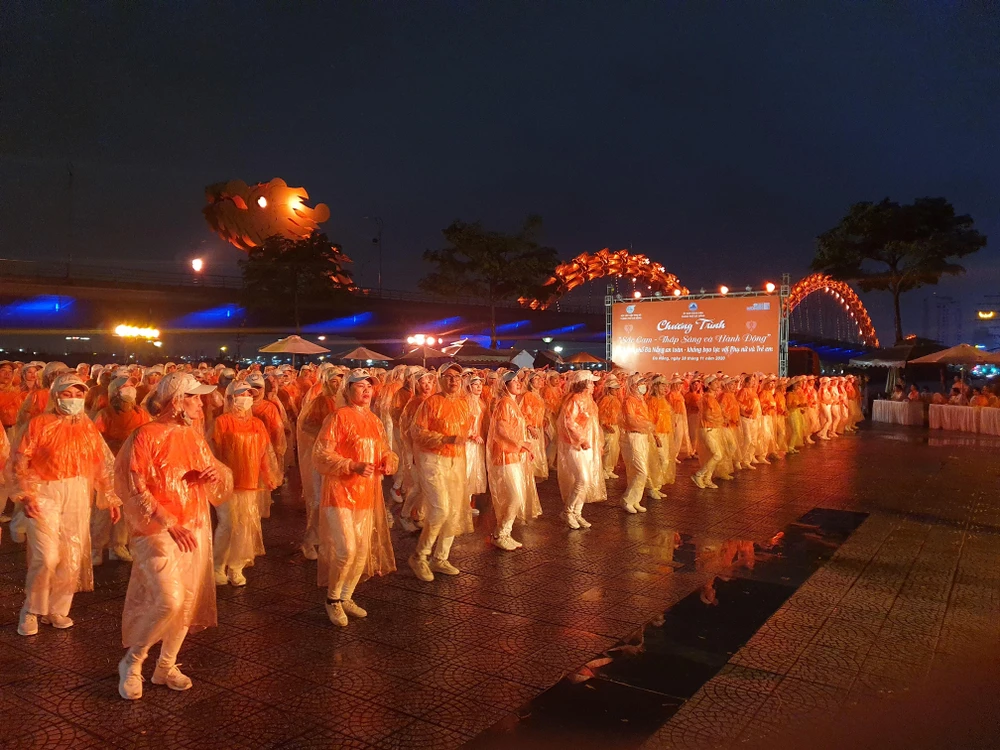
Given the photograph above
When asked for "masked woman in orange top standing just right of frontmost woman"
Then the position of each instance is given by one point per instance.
(241, 442)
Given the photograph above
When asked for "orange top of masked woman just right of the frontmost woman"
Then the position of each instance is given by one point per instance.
(243, 444)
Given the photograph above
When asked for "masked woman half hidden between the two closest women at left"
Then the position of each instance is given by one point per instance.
(115, 423)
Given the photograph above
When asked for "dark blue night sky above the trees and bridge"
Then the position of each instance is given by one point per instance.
(718, 138)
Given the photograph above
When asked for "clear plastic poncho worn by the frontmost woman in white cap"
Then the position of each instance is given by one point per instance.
(169, 589)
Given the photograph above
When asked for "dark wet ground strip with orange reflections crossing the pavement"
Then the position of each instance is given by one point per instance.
(621, 696)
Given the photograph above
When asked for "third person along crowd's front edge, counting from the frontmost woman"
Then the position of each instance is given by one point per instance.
(441, 429)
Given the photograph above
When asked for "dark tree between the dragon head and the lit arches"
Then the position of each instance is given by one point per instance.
(493, 266)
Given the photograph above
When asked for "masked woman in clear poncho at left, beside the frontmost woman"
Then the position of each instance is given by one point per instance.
(59, 463)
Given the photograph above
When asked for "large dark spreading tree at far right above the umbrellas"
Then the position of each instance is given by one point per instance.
(888, 247)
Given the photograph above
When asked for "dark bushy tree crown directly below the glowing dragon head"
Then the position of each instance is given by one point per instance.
(283, 277)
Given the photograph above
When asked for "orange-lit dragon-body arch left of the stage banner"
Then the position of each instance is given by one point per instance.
(589, 266)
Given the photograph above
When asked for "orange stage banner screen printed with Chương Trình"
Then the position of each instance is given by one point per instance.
(731, 334)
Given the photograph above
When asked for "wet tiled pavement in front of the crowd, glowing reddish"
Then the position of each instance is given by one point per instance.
(477, 658)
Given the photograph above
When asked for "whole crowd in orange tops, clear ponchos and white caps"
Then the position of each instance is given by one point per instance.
(130, 460)
